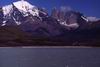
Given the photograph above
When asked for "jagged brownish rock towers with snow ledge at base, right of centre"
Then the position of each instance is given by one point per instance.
(68, 18)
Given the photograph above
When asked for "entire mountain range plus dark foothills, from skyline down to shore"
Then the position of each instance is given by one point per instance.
(22, 22)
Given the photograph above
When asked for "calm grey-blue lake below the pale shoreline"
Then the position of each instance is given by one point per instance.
(49, 57)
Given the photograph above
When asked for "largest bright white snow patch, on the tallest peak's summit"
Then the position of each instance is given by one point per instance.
(25, 7)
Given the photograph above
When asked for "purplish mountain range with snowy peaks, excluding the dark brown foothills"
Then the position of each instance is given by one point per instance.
(37, 20)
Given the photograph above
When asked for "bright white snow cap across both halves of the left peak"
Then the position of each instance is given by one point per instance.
(22, 6)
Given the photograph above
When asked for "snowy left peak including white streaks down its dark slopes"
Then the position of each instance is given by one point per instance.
(22, 7)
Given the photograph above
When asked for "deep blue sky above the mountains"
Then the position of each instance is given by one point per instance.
(88, 7)
